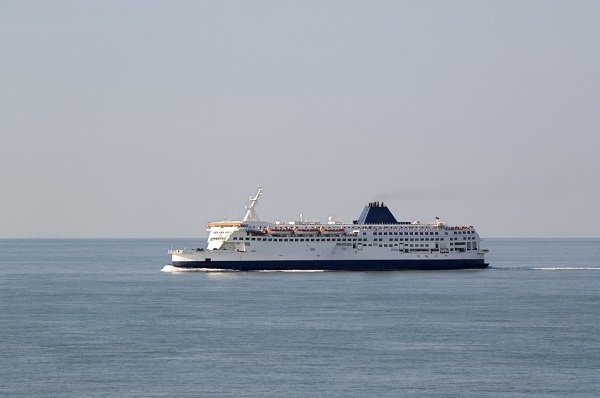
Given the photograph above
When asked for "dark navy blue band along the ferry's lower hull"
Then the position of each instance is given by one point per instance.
(335, 265)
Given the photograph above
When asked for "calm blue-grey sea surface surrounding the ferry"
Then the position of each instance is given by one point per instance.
(98, 318)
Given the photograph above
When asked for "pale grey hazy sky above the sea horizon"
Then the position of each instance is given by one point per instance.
(150, 118)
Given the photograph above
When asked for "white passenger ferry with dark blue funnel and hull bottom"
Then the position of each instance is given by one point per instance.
(376, 241)
